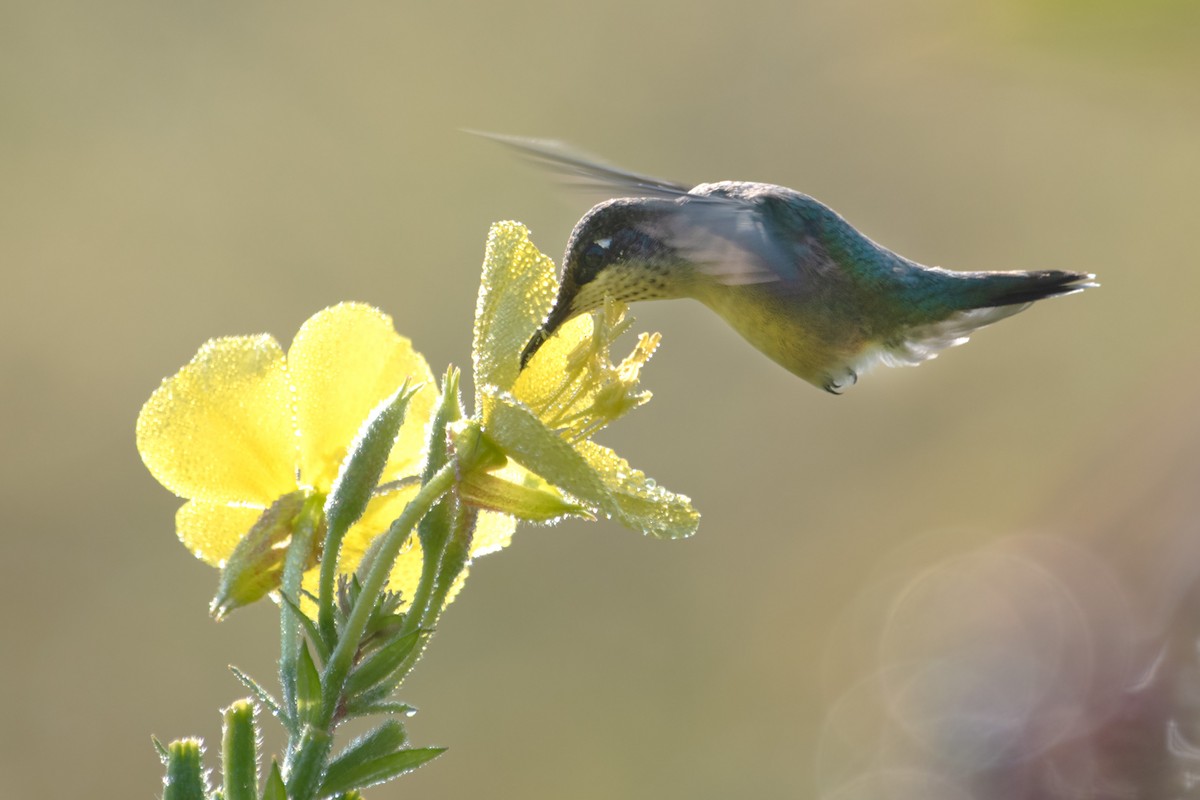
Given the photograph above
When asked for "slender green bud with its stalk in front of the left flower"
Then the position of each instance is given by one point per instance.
(353, 488)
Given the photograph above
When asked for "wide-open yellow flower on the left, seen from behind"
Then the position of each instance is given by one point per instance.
(244, 429)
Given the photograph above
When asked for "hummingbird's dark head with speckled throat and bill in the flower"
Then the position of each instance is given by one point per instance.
(619, 250)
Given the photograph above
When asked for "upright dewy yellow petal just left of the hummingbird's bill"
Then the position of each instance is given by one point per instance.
(517, 293)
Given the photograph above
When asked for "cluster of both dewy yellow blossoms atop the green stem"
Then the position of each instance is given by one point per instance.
(255, 440)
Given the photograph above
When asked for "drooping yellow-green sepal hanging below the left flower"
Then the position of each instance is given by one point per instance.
(256, 566)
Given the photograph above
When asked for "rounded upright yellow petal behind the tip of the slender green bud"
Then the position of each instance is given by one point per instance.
(344, 363)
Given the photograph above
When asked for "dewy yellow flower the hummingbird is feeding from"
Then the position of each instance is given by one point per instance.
(544, 417)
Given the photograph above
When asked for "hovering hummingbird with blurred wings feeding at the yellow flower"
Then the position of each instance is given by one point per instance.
(784, 270)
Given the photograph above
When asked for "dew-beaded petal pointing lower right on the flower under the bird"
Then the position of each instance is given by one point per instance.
(641, 503)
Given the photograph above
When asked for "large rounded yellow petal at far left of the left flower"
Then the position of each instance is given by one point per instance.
(220, 430)
